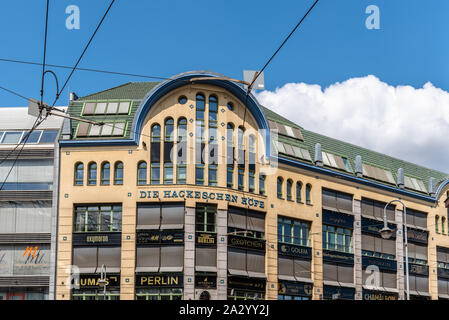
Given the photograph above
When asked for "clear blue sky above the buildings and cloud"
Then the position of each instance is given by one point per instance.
(163, 38)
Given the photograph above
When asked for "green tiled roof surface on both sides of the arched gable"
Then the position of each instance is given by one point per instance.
(136, 91)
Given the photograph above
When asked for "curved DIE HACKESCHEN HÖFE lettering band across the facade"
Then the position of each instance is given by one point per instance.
(205, 195)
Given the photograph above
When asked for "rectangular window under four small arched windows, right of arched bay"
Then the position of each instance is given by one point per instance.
(294, 231)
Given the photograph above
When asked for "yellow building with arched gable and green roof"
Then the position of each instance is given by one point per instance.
(193, 190)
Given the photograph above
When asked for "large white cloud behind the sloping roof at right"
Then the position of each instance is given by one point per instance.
(404, 122)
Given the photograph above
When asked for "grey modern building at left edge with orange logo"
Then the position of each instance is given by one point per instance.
(28, 206)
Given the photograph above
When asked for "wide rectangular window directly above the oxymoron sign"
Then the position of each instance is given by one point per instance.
(98, 218)
